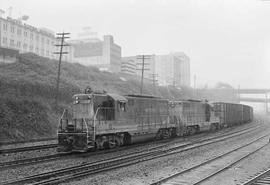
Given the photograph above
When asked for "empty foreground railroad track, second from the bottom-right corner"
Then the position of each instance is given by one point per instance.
(213, 165)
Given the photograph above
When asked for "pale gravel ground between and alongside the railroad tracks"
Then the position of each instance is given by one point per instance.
(151, 171)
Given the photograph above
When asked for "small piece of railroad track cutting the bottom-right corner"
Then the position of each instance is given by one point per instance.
(262, 178)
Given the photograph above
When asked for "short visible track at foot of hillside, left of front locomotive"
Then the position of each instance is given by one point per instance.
(28, 148)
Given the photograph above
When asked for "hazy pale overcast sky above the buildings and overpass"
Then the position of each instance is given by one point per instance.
(226, 40)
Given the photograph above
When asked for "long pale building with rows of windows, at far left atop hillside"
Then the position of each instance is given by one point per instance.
(15, 34)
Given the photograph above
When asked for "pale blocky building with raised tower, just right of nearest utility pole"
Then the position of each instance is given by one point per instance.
(103, 54)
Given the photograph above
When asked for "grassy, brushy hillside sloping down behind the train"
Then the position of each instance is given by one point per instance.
(27, 90)
